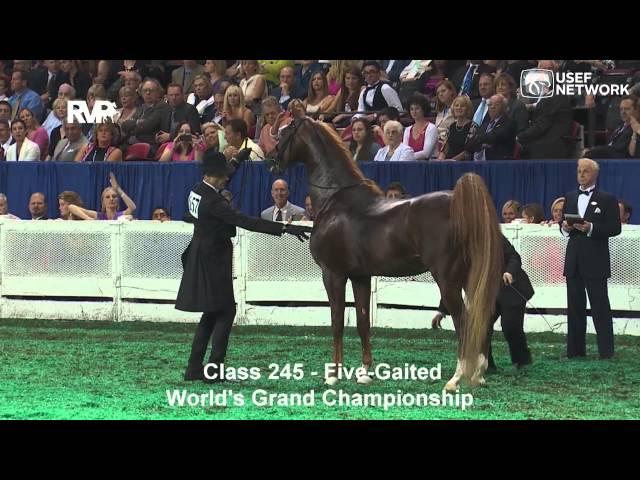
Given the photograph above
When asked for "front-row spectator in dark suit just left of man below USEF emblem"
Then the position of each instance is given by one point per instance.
(495, 139)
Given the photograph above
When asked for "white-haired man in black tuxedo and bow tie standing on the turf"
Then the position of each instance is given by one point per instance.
(587, 264)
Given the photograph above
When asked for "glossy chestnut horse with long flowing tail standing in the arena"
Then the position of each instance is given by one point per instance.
(357, 234)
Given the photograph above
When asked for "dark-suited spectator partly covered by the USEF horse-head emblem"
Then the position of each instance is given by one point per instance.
(545, 137)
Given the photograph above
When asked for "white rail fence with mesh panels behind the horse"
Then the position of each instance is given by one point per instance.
(124, 271)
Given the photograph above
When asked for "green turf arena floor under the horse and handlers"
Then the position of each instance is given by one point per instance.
(97, 370)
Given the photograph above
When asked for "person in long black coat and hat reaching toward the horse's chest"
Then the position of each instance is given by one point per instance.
(207, 282)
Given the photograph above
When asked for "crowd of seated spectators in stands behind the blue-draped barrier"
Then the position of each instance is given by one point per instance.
(384, 110)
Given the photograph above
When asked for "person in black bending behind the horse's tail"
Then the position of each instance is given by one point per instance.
(510, 306)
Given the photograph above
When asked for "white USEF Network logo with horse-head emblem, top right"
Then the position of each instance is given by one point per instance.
(539, 83)
